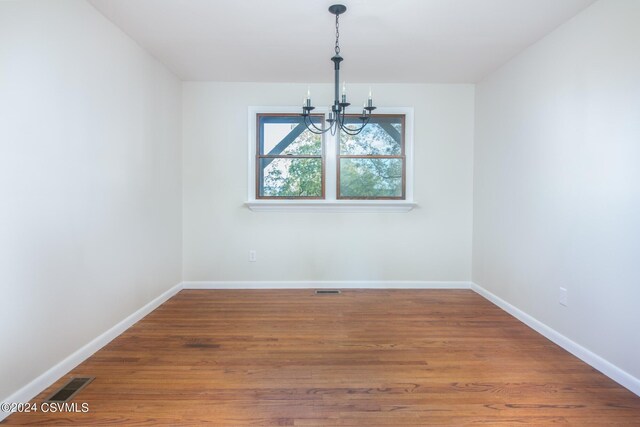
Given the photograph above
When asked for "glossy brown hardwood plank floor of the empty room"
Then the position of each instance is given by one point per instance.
(362, 358)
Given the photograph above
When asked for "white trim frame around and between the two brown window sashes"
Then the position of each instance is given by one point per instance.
(330, 203)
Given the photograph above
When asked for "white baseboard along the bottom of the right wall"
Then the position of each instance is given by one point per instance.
(609, 369)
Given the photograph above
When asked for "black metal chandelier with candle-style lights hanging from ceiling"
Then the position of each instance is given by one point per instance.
(337, 116)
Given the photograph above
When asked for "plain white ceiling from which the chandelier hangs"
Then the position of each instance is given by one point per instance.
(436, 41)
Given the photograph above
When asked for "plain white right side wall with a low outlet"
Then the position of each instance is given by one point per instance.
(556, 182)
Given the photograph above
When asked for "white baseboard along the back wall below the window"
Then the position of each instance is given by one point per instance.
(360, 284)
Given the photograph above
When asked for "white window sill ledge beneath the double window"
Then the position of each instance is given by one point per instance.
(368, 206)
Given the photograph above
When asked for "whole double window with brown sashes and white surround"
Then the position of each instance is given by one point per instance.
(291, 167)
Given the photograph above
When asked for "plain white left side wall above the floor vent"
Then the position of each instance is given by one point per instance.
(90, 182)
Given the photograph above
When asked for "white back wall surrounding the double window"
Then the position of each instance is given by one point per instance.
(432, 242)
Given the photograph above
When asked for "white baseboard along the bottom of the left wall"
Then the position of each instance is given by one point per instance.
(52, 375)
